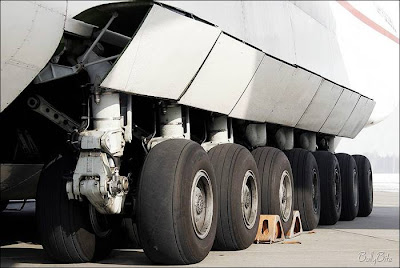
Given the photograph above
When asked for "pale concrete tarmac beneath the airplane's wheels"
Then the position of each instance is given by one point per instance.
(368, 242)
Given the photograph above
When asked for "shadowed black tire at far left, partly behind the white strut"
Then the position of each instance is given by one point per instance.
(64, 225)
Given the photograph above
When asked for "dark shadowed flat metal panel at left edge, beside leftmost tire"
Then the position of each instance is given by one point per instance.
(19, 181)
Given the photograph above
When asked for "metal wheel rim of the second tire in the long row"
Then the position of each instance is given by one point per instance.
(249, 198)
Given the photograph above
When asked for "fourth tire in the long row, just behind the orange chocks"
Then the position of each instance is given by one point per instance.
(307, 195)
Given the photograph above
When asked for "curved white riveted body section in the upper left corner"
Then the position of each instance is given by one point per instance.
(30, 33)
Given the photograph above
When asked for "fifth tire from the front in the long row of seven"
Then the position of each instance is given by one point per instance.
(331, 187)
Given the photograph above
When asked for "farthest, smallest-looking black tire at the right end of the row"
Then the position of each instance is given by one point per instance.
(365, 186)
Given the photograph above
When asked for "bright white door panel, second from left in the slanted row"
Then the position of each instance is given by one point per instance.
(224, 76)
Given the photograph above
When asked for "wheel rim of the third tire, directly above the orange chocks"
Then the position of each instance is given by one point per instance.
(285, 196)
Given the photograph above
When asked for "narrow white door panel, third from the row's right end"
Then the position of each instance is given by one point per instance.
(320, 107)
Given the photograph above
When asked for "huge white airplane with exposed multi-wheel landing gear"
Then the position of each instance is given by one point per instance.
(191, 118)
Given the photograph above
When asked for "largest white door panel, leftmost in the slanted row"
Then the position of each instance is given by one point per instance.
(163, 56)
